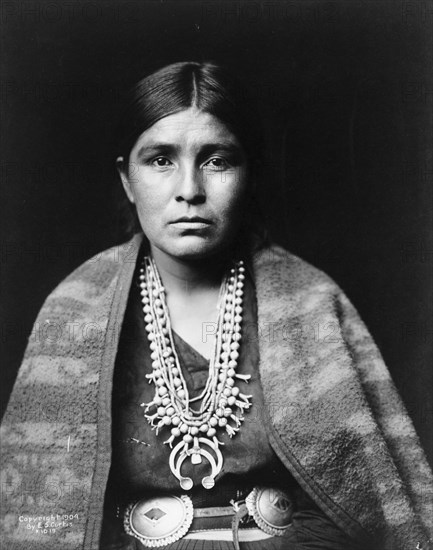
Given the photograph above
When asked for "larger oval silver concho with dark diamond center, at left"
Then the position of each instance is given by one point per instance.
(159, 521)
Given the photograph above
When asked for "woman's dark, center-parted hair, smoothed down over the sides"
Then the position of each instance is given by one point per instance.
(209, 88)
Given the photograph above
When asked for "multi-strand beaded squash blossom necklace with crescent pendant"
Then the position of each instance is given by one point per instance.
(194, 431)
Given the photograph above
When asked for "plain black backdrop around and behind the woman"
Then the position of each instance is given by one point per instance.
(345, 90)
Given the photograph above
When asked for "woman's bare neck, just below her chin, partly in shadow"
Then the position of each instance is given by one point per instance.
(189, 276)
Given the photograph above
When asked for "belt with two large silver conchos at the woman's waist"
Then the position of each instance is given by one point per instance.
(163, 520)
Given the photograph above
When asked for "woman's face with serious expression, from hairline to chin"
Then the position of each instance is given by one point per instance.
(187, 177)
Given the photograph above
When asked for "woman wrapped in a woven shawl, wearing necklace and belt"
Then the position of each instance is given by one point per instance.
(200, 408)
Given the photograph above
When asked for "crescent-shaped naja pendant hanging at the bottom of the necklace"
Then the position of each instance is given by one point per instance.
(196, 453)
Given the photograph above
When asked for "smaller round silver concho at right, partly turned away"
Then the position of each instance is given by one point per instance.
(271, 508)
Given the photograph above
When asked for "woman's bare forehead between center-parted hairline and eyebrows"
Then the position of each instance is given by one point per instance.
(191, 127)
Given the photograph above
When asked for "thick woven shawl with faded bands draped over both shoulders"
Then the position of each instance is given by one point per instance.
(334, 417)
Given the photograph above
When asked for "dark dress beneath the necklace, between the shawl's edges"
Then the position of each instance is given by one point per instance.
(140, 463)
